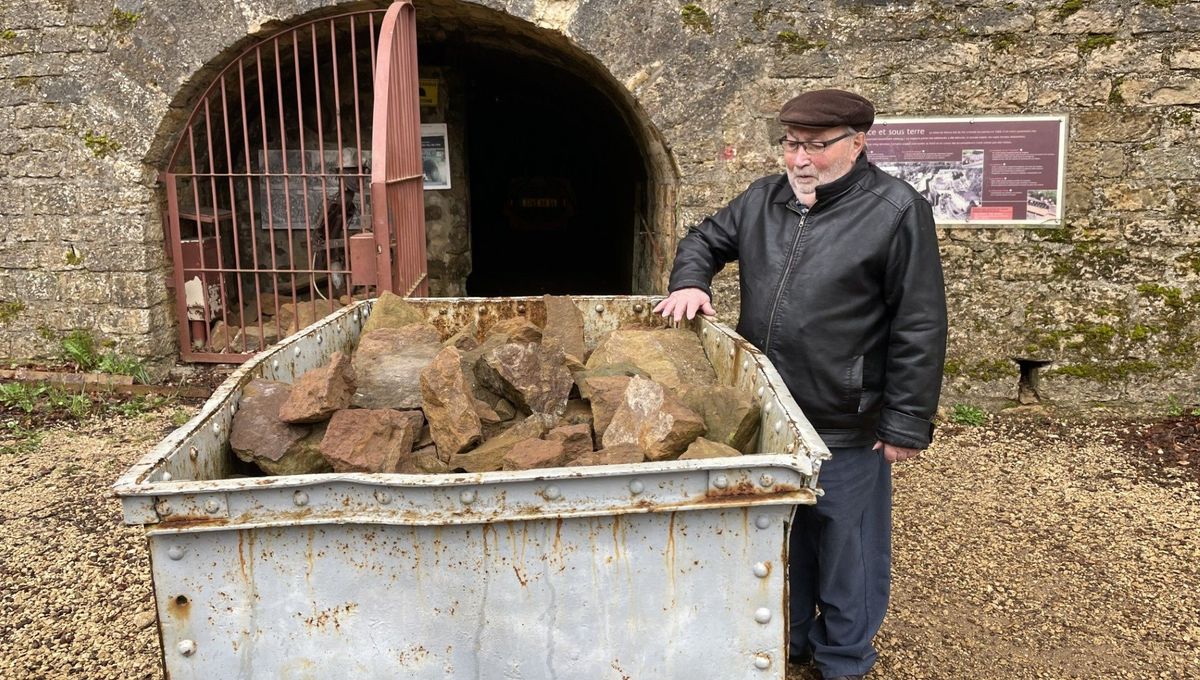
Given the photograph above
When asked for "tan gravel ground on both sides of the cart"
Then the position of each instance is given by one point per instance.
(1036, 546)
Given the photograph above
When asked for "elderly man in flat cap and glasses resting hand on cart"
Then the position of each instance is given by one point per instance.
(842, 288)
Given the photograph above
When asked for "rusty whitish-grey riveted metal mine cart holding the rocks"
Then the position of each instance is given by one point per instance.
(650, 571)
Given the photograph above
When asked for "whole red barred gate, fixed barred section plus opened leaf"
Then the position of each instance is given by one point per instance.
(269, 221)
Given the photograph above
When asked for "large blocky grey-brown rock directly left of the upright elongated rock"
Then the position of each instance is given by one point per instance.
(388, 366)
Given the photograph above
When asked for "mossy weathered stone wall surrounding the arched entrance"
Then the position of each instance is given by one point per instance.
(91, 98)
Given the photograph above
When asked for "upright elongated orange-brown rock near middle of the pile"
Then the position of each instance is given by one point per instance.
(454, 422)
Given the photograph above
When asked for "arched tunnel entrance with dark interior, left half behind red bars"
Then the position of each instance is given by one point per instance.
(556, 182)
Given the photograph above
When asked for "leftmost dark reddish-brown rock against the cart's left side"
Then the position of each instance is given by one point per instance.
(260, 437)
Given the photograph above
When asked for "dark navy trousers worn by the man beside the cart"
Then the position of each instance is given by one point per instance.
(841, 565)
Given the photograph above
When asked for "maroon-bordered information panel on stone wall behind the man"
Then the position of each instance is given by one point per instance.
(979, 172)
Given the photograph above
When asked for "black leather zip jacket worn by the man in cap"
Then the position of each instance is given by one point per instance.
(847, 299)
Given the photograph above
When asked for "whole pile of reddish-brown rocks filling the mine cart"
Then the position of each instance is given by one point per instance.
(519, 398)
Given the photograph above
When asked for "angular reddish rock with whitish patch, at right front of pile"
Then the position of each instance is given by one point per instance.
(655, 420)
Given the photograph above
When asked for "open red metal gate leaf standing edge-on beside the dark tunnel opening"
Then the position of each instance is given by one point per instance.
(397, 179)
